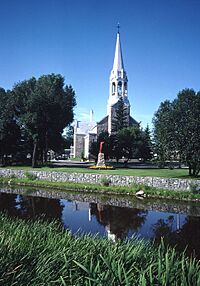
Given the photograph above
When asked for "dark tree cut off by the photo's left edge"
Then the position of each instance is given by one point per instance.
(9, 129)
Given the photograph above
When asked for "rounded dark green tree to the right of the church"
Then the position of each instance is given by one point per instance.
(176, 129)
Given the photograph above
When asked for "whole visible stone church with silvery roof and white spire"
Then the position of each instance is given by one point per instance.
(118, 89)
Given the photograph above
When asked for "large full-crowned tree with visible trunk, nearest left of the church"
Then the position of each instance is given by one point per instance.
(45, 108)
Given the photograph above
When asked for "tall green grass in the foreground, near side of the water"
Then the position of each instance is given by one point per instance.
(41, 253)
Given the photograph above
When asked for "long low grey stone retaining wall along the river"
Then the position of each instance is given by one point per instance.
(117, 180)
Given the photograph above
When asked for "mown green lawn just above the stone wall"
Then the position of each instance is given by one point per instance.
(166, 173)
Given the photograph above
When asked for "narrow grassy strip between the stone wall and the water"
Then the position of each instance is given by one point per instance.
(100, 188)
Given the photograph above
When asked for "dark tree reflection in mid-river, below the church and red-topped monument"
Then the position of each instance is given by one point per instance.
(119, 220)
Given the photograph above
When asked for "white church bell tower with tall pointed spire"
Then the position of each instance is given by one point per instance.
(118, 85)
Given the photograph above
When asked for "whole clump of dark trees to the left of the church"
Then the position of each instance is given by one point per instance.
(32, 118)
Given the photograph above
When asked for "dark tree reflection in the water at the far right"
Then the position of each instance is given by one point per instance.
(187, 236)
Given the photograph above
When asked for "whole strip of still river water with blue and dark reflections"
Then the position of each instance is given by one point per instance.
(178, 230)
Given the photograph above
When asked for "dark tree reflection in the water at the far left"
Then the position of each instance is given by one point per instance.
(30, 207)
